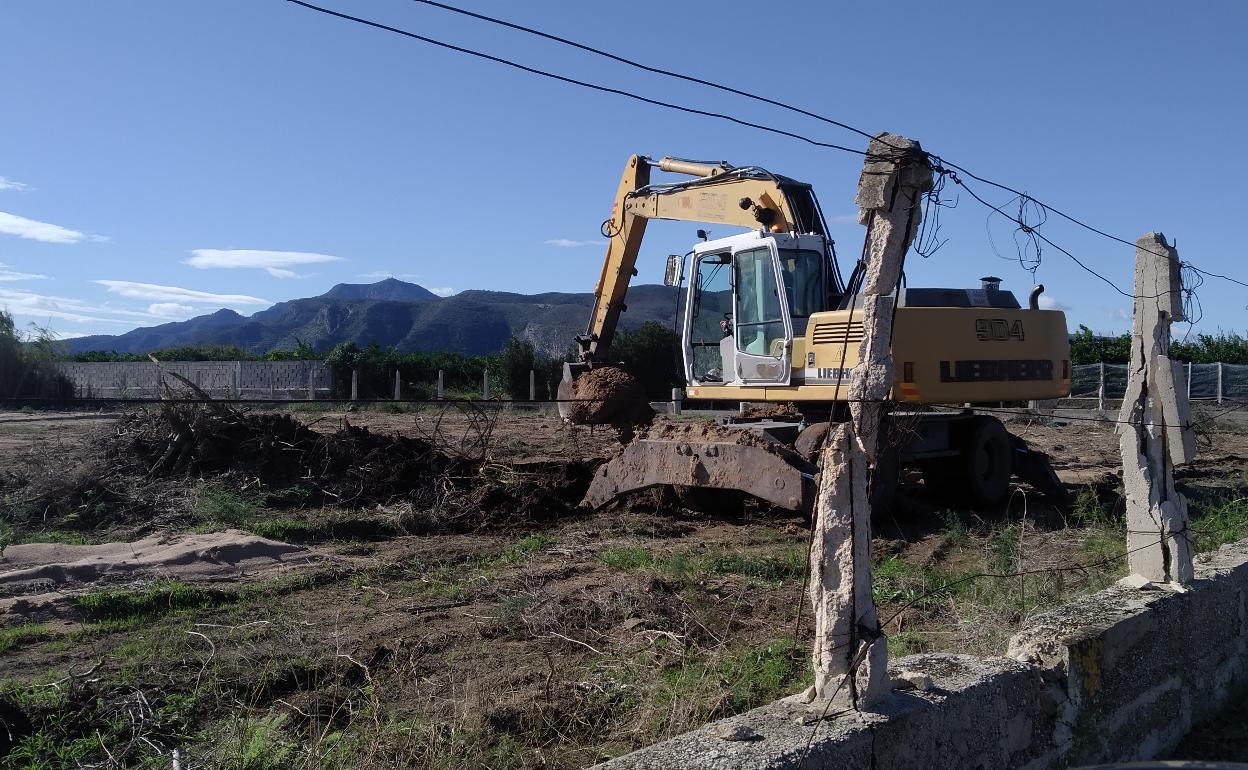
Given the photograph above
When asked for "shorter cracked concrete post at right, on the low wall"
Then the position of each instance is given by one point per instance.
(1155, 434)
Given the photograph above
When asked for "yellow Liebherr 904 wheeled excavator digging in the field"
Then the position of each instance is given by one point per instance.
(769, 318)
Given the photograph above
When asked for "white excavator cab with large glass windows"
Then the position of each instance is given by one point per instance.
(749, 295)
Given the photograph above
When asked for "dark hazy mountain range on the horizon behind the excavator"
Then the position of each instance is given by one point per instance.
(394, 313)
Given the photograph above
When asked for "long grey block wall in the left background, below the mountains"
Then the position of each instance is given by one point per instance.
(219, 379)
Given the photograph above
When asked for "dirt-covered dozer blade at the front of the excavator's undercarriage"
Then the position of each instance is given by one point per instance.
(774, 477)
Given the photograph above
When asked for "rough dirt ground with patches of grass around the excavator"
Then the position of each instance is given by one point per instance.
(500, 640)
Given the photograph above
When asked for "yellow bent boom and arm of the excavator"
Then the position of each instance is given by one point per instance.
(746, 198)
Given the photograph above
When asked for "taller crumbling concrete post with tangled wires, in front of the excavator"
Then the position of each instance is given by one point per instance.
(851, 650)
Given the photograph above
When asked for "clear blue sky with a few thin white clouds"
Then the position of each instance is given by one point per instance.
(160, 160)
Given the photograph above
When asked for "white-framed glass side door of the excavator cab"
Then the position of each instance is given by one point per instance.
(762, 325)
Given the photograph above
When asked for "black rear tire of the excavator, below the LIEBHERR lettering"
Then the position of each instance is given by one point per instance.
(980, 475)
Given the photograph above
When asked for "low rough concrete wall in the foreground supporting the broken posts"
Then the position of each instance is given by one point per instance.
(1119, 676)
